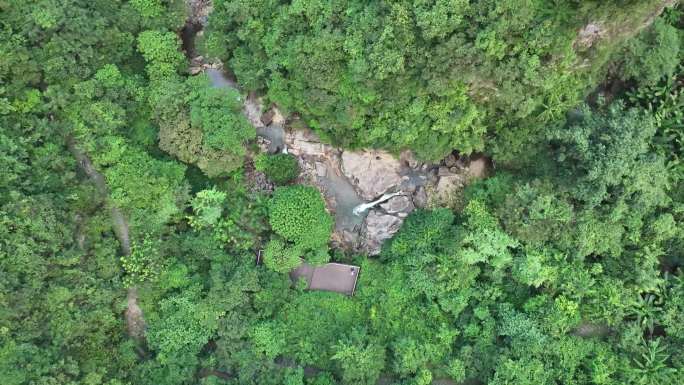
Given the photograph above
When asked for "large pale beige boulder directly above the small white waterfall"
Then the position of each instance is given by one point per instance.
(373, 173)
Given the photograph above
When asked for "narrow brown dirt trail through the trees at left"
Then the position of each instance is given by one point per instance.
(135, 322)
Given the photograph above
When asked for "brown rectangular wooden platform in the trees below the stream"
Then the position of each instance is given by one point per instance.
(335, 277)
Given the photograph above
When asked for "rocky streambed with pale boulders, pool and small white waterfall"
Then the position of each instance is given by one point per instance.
(390, 186)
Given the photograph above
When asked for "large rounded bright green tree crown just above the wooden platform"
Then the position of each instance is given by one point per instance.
(298, 214)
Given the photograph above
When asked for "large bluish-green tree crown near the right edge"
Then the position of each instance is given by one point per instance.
(606, 156)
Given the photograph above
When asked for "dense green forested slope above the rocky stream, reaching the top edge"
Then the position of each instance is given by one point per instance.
(430, 75)
